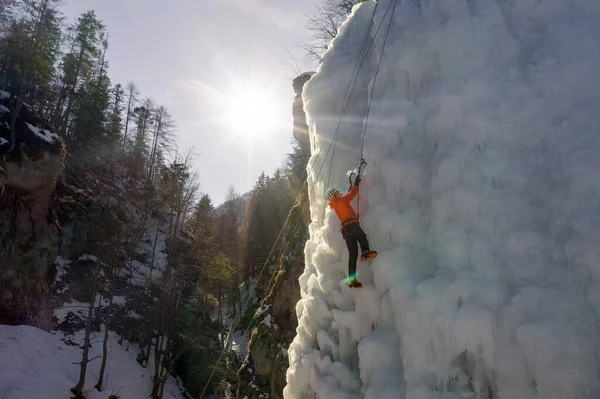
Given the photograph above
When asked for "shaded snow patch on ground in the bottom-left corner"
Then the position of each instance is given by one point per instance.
(38, 365)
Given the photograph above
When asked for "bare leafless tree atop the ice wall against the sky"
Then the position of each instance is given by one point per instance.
(324, 25)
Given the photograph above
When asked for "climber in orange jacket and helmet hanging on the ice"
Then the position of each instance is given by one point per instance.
(350, 228)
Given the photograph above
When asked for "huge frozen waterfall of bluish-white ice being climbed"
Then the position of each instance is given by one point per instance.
(481, 197)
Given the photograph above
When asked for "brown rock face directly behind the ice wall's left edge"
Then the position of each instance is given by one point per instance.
(263, 373)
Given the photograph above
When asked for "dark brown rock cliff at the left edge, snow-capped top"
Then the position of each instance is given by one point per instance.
(28, 227)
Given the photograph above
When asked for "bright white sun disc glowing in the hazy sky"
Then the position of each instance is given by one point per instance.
(250, 112)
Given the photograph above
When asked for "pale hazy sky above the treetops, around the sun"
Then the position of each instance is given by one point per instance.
(200, 59)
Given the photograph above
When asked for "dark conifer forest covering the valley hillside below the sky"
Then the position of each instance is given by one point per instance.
(133, 221)
